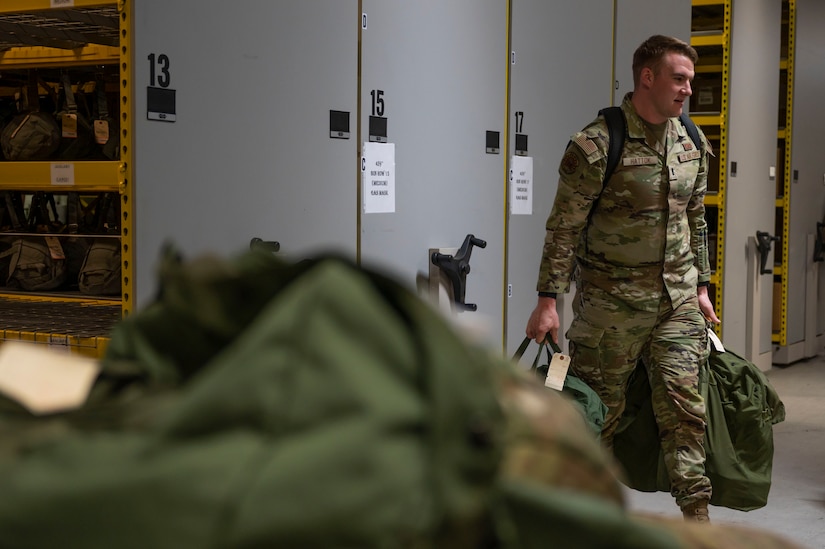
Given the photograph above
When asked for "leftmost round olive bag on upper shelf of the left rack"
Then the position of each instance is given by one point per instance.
(31, 134)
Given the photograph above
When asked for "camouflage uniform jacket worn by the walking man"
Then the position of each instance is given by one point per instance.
(645, 232)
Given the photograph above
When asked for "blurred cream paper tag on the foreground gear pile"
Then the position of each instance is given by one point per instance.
(45, 381)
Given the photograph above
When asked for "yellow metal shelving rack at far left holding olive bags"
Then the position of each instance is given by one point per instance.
(53, 34)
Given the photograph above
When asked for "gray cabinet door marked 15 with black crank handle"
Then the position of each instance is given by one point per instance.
(435, 72)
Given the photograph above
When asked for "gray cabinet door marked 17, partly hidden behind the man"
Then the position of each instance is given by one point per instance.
(560, 79)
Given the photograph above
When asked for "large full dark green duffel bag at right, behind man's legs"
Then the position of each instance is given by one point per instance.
(742, 408)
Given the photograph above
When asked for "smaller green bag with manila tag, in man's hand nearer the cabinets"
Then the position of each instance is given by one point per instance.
(554, 375)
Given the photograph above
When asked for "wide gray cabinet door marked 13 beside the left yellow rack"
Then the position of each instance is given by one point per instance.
(249, 153)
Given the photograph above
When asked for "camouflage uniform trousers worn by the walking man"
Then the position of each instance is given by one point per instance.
(608, 338)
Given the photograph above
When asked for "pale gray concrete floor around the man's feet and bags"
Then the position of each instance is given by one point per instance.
(796, 504)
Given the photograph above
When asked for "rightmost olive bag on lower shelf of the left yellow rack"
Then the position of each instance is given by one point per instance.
(100, 272)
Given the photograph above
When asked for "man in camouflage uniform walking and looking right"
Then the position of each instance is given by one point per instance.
(639, 244)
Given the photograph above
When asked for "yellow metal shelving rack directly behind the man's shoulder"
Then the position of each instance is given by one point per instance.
(711, 35)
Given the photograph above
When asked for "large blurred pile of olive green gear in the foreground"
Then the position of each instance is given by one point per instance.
(256, 403)
